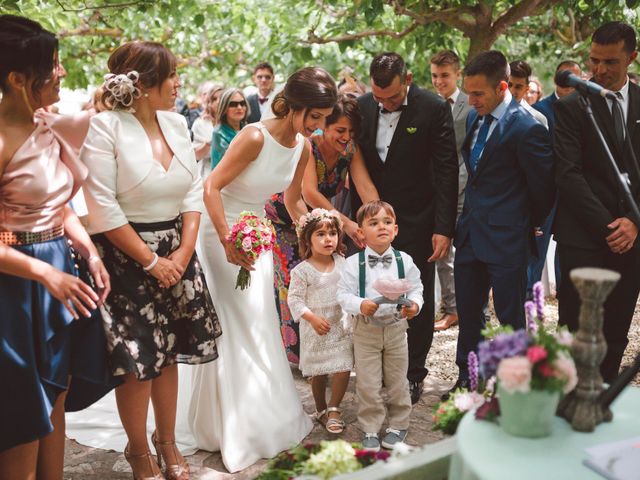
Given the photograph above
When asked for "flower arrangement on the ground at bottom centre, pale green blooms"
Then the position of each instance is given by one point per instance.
(324, 460)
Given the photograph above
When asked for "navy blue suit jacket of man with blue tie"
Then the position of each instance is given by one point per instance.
(511, 191)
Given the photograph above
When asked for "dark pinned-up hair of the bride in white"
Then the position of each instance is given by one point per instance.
(309, 87)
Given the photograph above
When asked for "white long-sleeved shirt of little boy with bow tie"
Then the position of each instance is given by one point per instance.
(349, 284)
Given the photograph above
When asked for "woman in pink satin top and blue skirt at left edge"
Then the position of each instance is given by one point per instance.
(41, 296)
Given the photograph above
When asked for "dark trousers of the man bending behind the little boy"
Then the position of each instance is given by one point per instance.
(420, 332)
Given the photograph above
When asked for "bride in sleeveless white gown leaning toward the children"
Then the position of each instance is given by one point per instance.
(245, 404)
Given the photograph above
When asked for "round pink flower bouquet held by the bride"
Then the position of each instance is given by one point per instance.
(251, 236)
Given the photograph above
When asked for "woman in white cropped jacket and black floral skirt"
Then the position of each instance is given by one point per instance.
(144, 195)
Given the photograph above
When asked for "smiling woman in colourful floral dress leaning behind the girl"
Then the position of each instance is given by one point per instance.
(335, 156)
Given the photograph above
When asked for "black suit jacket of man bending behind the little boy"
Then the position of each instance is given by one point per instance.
(420, 175)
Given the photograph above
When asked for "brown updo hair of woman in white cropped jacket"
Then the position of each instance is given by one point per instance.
(153, 61)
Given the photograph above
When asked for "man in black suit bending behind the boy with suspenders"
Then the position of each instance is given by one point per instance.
(408, 145)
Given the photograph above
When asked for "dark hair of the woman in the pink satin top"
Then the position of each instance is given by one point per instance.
(27, 48)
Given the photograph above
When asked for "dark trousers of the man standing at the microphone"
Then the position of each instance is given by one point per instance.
(619, 306)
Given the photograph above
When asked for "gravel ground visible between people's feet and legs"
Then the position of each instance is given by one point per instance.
(85, 463)
